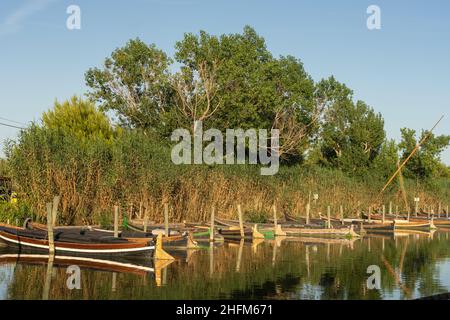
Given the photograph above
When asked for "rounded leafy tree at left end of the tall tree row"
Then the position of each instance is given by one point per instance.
(134, 83)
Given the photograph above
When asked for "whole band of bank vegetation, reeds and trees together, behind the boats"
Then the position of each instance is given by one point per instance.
(113, 147)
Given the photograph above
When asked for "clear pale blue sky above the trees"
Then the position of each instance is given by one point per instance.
(402, 70)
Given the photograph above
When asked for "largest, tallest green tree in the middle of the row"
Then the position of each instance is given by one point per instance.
(237, 83)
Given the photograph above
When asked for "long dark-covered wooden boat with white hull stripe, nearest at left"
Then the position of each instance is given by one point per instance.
(73, 242)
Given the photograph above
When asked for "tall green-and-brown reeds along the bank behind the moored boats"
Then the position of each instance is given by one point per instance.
(93, 175)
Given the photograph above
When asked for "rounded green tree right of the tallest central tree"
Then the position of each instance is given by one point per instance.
(352, 133)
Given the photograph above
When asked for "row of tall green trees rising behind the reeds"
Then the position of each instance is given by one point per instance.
(234, 81)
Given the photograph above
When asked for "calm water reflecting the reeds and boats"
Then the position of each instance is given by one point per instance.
(412, 266)
